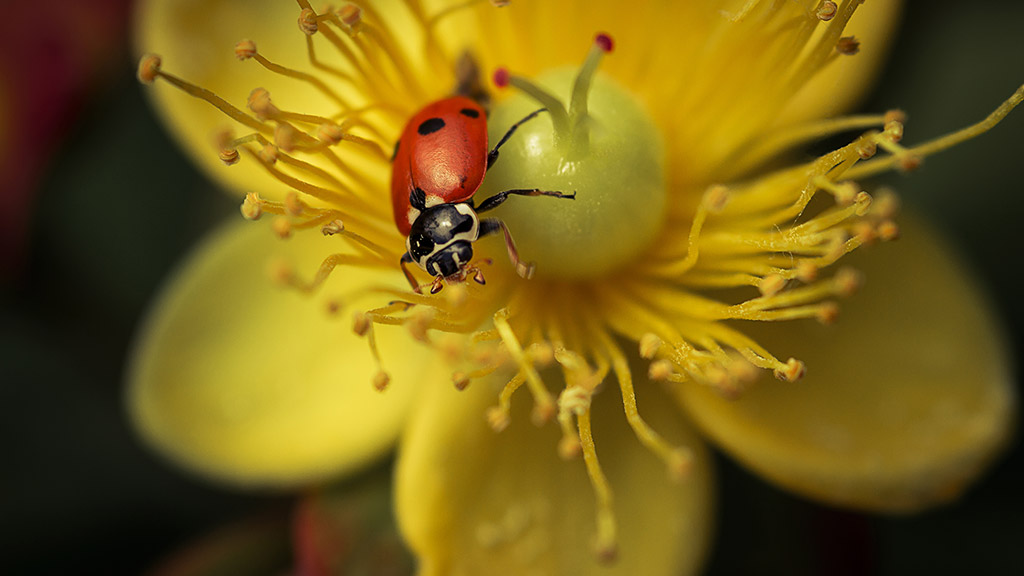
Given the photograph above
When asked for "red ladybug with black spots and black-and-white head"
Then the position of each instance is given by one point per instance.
(438, 167)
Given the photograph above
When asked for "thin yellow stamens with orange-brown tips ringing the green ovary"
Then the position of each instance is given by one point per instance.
(772, 236)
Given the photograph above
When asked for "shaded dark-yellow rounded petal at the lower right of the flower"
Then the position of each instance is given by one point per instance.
(907, 398)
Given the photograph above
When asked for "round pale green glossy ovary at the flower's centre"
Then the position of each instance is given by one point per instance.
(619, 179)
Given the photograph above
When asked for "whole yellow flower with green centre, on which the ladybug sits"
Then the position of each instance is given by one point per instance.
(695, 228)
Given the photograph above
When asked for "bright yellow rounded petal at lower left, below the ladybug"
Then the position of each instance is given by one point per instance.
(245, 382)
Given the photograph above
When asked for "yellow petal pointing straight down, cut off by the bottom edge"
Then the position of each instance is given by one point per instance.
(475, 502)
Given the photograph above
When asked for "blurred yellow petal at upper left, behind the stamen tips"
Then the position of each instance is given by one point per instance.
(196, 40)
